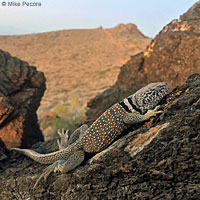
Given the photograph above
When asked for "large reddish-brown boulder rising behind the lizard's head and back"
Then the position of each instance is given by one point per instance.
(171, 56)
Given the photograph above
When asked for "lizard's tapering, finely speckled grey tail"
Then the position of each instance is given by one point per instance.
(50, 157)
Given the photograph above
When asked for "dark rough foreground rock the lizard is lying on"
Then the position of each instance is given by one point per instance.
(156, 160)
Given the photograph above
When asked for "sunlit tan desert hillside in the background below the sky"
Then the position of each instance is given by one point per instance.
(80, 63)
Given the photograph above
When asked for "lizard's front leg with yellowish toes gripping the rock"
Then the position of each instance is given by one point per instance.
(136, 117)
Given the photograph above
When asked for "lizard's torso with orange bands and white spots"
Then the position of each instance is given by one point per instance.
(104, 130)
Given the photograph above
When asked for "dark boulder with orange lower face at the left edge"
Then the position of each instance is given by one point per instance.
(21, 90)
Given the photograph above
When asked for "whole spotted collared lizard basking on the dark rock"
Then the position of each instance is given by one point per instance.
(134, 109)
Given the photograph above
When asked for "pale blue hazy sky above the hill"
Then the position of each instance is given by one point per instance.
(149, 15)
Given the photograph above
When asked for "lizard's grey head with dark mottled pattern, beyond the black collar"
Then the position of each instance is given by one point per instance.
(149, 96)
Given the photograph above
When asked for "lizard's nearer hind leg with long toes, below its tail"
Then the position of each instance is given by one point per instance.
(63, 166)
